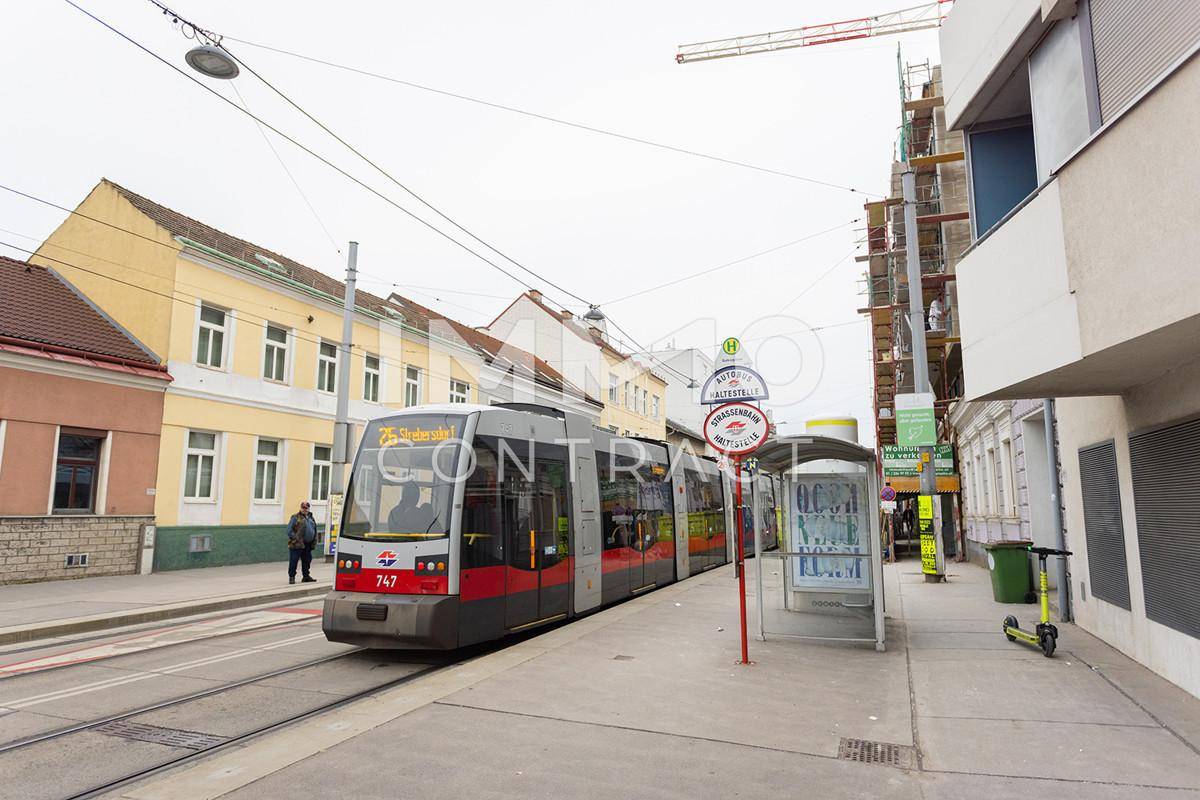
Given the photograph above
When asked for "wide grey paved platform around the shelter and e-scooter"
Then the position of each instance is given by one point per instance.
(646, 700)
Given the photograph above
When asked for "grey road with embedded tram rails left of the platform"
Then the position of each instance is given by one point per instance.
(251, 667)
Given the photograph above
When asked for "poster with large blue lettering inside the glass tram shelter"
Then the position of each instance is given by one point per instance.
(829, 513)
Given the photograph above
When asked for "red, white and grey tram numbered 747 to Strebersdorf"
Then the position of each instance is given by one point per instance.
(466, 524)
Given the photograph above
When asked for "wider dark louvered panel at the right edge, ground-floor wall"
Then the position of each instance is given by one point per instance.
(1167, 497)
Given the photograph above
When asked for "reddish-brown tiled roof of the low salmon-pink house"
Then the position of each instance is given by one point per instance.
(39, 306)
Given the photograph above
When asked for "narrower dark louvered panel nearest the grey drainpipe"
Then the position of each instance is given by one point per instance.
(1107, 568)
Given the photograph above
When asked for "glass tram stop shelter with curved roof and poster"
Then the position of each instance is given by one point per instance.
(826, 580)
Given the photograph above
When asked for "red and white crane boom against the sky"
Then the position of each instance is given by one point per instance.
(929, 15)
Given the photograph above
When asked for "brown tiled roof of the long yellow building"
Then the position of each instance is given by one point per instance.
(179, 225)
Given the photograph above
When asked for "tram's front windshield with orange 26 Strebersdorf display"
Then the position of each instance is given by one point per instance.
(403, 489)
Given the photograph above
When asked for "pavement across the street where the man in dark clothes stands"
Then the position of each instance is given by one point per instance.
(38, 611)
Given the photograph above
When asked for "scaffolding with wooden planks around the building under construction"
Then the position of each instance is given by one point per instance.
(944, 234)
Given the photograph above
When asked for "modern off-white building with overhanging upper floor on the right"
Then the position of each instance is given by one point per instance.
(1082, 284)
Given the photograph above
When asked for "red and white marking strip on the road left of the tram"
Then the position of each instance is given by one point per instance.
(164, 637)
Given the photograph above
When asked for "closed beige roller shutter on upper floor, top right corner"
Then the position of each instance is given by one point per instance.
(1137, 40)
